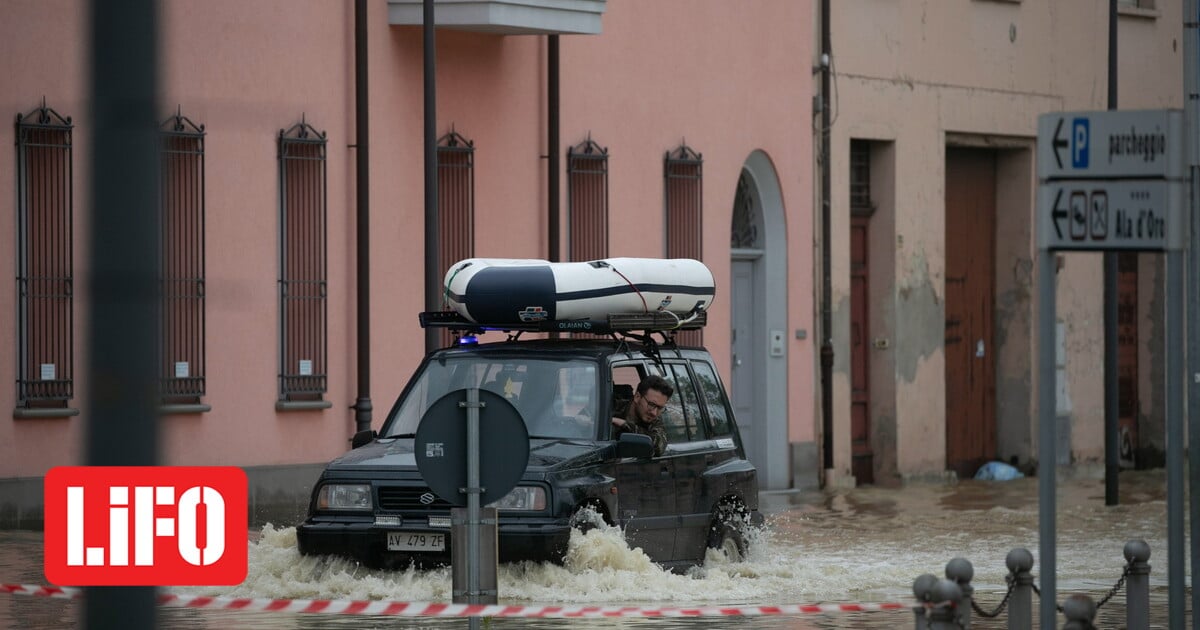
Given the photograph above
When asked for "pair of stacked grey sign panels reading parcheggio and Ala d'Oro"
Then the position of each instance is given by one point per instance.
(1112, 181)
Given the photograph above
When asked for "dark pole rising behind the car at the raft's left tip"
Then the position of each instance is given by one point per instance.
(433, 273)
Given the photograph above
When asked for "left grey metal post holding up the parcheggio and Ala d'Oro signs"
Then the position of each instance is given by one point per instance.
(1047, 435)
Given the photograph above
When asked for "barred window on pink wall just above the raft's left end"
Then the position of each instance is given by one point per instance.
(587, 194)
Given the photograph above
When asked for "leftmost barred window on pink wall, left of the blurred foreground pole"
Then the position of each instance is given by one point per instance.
(45, 265)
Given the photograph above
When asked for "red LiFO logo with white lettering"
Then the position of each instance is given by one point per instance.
(146, 526)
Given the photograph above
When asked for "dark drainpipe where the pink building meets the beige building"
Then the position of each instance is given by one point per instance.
(826, 242)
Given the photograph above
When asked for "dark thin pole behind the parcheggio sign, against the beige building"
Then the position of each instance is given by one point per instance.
(1112, 404)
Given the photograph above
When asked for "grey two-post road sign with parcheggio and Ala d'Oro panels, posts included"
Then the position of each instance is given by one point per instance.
(1109, 181)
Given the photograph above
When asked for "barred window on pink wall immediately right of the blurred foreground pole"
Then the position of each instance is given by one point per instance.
(182, 164)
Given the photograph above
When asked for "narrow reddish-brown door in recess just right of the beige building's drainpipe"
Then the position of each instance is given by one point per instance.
(862, 458)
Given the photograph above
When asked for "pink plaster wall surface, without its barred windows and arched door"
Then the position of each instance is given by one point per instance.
(728, 79)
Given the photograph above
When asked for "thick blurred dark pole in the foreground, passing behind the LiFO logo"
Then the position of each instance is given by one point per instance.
(124, 323)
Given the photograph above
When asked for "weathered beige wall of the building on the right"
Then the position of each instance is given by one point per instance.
(919, 76)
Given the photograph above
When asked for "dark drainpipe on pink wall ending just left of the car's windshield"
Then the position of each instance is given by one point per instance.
(363, 170)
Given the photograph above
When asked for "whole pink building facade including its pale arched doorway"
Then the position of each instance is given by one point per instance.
(730, 82)
